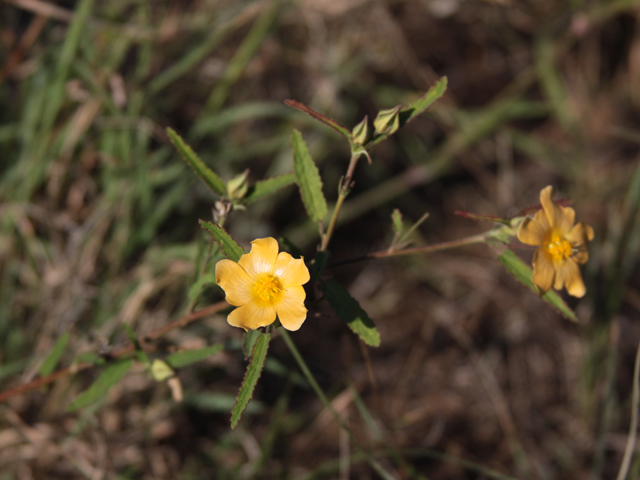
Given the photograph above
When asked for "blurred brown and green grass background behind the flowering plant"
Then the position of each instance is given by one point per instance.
(475, 378)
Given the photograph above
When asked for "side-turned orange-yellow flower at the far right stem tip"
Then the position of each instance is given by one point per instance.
(563, 246)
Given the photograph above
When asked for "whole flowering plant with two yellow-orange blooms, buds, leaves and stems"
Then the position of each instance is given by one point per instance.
(270, 288)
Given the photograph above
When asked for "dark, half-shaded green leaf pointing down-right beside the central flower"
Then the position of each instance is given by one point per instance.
(350, 312)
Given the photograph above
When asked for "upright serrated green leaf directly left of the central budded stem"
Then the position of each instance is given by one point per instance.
(308, 179)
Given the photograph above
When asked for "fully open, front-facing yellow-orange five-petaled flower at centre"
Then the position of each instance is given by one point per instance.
(262, 284)
